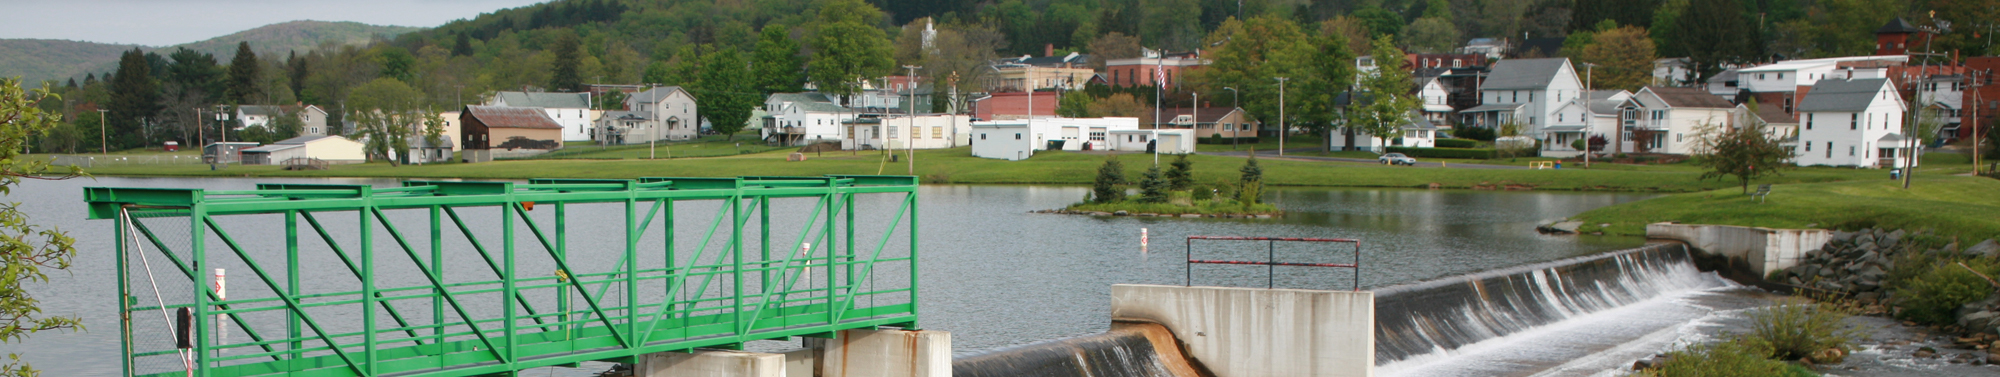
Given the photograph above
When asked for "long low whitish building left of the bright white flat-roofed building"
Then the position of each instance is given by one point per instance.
(925, 131)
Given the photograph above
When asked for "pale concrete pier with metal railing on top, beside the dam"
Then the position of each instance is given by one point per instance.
(1261, 332)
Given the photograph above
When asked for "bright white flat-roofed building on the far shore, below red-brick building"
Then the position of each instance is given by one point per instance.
(1019, 139)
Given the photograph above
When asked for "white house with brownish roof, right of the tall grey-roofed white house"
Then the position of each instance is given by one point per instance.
(1671, 119)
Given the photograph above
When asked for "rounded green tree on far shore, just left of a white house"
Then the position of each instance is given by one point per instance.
(727, 99)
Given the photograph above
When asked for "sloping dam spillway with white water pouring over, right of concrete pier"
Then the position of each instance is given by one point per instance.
(1435, 318)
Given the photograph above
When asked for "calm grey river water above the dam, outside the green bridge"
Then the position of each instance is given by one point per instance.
(993, 272)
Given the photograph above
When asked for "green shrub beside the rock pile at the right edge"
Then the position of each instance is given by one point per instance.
(1935, 292)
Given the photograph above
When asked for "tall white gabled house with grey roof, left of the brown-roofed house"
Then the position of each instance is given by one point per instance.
(1525, 87)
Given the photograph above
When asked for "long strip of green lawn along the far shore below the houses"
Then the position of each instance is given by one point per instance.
(959, 167)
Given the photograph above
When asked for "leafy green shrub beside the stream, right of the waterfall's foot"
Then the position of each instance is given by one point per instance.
(1797, 330)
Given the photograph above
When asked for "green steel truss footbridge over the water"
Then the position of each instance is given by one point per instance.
(495, 278)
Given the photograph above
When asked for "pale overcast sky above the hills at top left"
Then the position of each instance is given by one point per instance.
(165, 23)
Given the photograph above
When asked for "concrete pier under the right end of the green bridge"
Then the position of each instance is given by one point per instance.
(889, 354)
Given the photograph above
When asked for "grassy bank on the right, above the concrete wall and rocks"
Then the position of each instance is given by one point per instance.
(1951, 206)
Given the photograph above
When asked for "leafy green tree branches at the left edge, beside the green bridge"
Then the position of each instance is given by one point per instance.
(31, 250)
